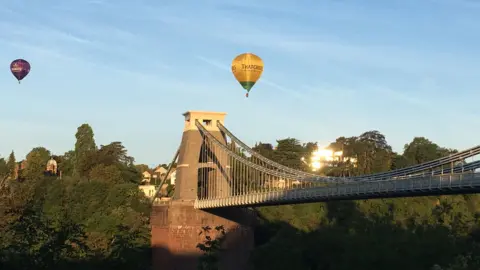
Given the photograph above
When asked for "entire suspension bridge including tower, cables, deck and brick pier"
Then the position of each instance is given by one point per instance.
(220, 179)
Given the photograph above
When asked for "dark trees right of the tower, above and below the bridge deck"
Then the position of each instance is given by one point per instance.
(419, 233)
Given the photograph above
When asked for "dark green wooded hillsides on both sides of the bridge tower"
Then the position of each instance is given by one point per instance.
(94, 217)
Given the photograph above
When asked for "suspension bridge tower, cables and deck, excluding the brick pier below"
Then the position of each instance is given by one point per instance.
(225, 172)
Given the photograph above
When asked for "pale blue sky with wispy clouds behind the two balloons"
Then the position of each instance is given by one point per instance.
(406, 67)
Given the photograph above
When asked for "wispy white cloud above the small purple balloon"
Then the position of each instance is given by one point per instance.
(76, 39)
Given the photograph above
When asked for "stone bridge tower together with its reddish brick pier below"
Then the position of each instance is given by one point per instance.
(176, 226)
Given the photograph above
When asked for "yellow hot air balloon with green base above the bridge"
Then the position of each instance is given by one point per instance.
(247, 69)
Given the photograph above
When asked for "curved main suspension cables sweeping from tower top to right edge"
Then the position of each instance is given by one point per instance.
(372, 177)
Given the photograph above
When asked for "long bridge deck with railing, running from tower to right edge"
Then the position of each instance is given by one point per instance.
(461, 183)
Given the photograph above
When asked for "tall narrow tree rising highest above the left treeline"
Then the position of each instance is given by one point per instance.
(85, 148)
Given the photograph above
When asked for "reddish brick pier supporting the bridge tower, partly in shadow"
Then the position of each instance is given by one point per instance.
(176, 232)
